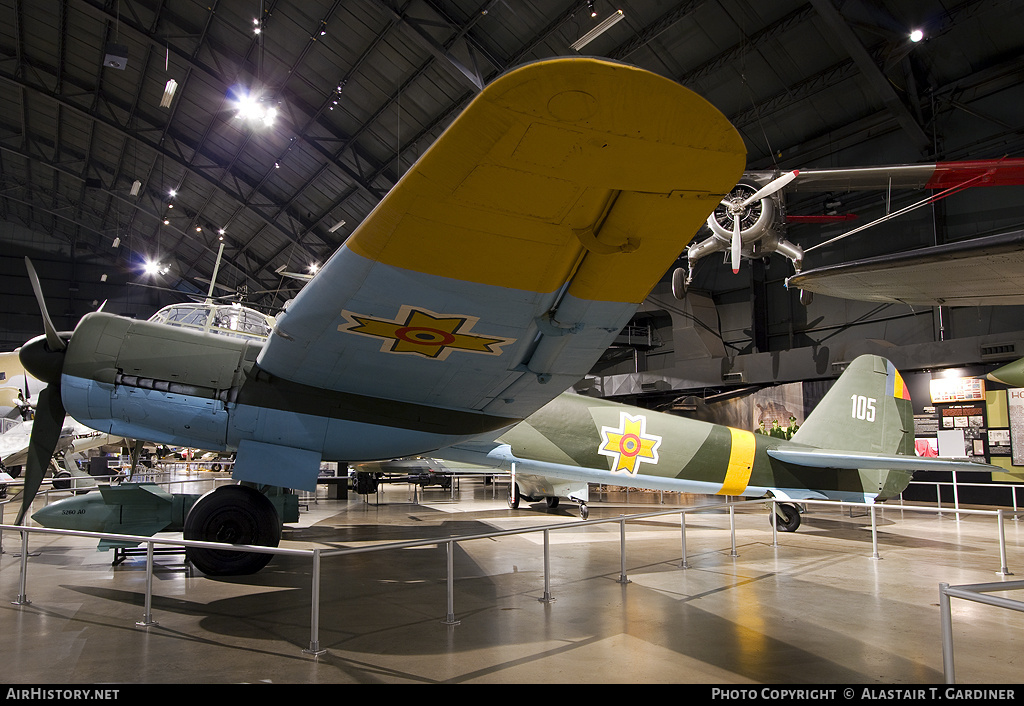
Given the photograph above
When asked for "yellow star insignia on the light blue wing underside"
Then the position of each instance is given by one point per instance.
(424, 334)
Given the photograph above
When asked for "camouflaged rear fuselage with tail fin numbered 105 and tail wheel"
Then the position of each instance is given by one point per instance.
(857, 446)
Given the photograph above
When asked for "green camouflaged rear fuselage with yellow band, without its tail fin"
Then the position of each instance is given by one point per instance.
(583, 439)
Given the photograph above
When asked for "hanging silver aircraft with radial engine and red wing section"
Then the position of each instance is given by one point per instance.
(752, 222)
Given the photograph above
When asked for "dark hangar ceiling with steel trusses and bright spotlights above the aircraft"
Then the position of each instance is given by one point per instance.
(365, 88)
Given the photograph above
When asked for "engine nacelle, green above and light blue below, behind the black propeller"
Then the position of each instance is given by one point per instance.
(172, 386)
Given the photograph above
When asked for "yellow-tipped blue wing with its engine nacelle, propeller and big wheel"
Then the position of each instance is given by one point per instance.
(487, 282)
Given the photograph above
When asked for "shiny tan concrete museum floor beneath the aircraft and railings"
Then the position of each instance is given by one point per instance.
(820, 607)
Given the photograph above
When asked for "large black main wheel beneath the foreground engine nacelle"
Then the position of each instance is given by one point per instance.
(234, 515)
